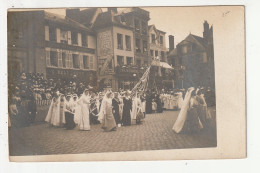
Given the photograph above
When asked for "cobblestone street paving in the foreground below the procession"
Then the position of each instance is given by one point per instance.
(154, 134)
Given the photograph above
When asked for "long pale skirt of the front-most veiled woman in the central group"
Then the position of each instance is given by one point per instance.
(109, 123)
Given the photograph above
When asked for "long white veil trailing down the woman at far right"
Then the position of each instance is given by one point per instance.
(179, 123)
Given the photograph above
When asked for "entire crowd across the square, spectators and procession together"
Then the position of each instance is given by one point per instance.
(74, 104)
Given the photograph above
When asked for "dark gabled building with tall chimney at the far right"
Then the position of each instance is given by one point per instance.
(193, 60)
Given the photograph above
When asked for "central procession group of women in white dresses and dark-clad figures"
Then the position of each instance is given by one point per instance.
(110, 109)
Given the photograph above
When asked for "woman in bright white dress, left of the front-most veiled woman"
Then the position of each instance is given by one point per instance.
(83, 111)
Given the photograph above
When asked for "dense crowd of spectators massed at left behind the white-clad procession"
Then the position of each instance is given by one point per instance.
(27, 88)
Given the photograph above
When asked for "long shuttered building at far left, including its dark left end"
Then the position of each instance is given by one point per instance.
(53, 45)
